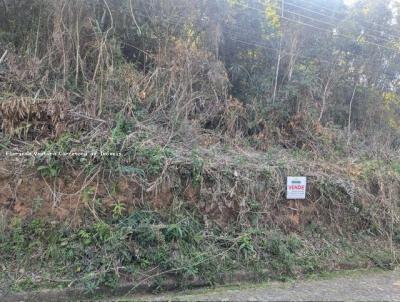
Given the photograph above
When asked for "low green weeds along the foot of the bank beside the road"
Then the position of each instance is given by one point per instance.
(160, 244)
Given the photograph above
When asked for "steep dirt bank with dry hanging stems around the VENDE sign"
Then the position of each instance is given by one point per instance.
(222, 191)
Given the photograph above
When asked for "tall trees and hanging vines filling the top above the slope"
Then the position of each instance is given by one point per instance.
(318, 61)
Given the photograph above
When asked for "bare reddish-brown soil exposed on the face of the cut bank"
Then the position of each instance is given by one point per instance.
(26, 193)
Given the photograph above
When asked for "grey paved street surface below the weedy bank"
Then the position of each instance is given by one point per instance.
(360, 286)
